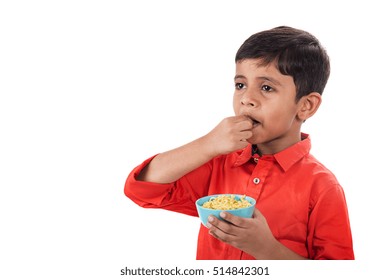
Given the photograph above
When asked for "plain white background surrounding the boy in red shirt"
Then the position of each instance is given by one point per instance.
(89, 89)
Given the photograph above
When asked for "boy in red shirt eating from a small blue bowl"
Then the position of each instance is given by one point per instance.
(301, 209)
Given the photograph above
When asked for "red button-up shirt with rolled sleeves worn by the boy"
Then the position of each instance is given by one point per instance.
(302, 200)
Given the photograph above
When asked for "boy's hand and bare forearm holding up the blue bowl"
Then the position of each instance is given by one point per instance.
(251, 235)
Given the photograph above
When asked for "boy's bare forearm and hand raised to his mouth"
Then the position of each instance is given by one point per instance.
(228, 136)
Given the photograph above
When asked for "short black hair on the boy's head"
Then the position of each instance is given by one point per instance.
(295, 52)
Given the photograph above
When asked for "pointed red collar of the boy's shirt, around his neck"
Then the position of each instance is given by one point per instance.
(286, 158)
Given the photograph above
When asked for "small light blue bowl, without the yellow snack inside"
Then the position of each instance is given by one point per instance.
(204, 213)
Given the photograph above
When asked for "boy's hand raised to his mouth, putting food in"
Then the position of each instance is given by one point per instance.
(230, 135)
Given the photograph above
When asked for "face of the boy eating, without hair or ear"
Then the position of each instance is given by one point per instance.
(268, 98)
